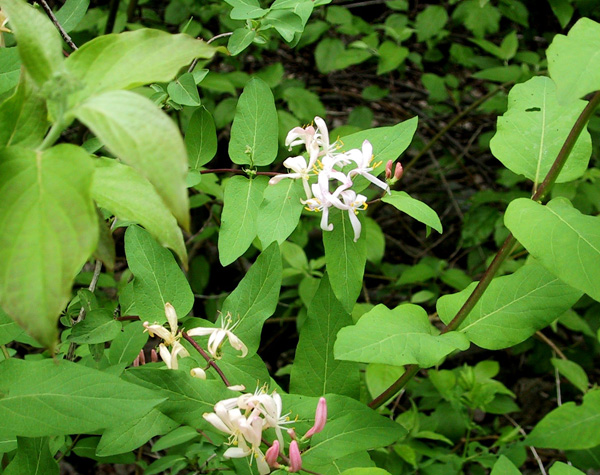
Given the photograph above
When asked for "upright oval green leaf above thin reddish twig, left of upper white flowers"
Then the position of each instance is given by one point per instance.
(255, 127)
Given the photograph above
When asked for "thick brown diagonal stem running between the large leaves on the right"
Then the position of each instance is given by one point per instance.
(504, 251)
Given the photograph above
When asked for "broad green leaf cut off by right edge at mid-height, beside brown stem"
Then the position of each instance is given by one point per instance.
(563, 240)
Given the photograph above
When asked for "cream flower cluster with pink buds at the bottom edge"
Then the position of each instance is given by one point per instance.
(246, 417)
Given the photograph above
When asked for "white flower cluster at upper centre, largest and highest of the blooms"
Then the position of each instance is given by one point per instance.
(334, 182)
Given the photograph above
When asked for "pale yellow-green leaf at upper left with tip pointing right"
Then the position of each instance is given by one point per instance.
(112, 62)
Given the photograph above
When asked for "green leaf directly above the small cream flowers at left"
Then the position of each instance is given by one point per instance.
(158, 278)
